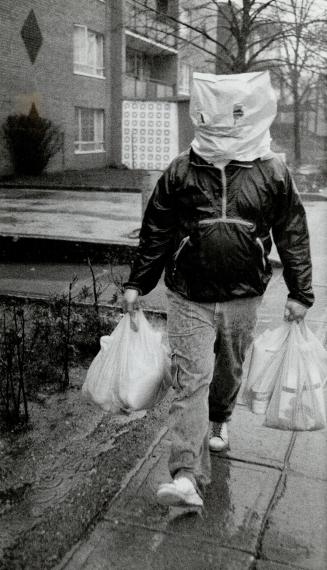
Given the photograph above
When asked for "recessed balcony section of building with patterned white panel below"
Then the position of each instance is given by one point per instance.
(155, 123)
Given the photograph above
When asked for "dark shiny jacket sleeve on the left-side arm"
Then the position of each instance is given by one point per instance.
(156, 235)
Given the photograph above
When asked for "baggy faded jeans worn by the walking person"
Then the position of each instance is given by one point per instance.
(208, 342)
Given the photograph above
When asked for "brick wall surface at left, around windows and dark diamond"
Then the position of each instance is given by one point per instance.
(50, 82)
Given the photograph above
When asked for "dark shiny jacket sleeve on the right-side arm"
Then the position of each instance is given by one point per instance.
(291, 236)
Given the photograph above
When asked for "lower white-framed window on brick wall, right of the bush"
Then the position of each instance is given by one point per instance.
(89, 130)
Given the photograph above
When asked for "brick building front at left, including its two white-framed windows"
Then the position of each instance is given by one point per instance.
(42, 63)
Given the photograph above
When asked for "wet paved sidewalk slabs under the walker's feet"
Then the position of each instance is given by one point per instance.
(263, 510)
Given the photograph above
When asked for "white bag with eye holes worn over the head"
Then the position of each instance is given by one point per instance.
(232, 115)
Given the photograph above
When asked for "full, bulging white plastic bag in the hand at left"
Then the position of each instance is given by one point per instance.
(132, 369)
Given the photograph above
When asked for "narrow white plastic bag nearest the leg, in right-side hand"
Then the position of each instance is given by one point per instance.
(266, 358)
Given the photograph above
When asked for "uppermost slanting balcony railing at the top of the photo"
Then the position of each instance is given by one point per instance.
(145, 23)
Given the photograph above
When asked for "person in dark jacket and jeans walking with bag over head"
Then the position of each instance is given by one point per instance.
(208, 225)
